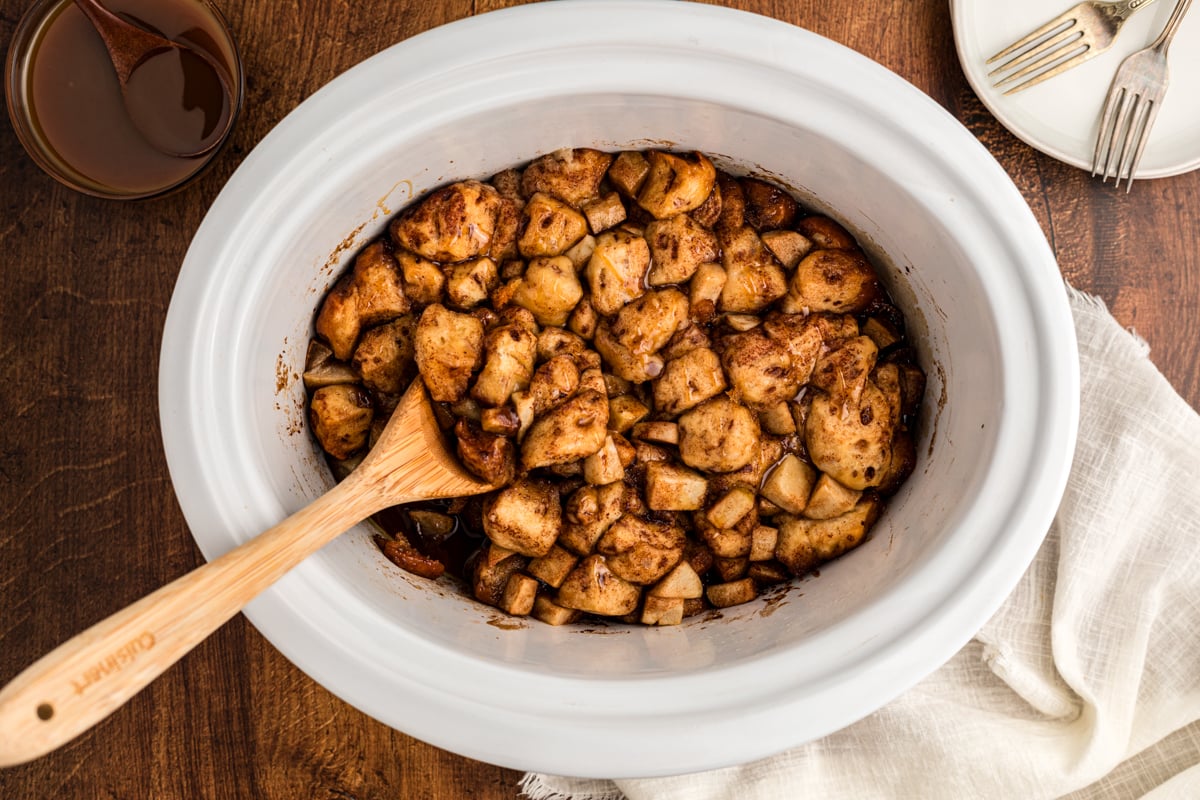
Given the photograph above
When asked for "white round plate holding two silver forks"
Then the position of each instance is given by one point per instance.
(1059, 117)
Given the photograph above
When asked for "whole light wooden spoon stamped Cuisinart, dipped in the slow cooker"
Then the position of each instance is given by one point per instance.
(89, 677)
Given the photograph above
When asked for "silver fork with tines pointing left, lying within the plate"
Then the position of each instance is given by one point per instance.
(1069, 40)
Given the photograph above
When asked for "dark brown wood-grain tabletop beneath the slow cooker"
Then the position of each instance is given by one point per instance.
(88, 519)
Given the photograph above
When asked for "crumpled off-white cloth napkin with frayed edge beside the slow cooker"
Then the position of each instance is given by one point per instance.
(1088, 681)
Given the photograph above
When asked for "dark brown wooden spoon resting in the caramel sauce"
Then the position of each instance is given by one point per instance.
(177, 97)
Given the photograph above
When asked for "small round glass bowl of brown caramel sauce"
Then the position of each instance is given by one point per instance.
(67, 106)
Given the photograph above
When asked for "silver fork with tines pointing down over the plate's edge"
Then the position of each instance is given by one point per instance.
(1132, 106)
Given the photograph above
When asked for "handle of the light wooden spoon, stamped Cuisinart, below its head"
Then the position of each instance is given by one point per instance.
(87, 678)
